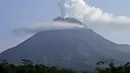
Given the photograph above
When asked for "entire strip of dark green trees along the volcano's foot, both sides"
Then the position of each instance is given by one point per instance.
(28, 67)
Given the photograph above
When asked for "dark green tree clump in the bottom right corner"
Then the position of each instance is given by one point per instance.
(112, 68)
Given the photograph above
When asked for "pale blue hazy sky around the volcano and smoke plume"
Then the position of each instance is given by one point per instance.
(21, 13)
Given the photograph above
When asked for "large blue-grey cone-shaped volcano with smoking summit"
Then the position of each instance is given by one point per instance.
(69, 48)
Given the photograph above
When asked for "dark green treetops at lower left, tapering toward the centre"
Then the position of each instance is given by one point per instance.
(28, 67)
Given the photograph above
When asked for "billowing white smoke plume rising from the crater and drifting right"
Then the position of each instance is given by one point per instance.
(84, 12)
